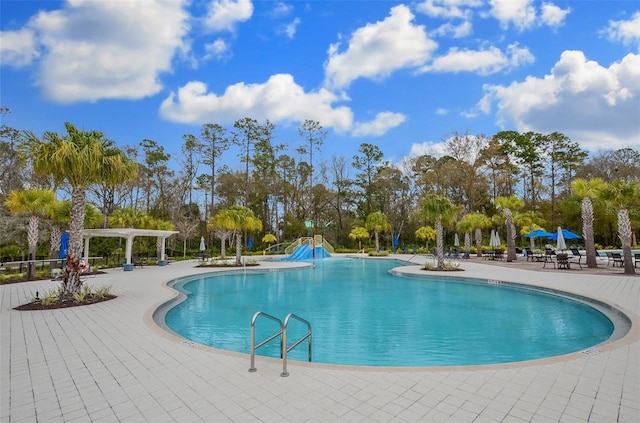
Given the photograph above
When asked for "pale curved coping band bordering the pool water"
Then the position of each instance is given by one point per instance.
(154, 320)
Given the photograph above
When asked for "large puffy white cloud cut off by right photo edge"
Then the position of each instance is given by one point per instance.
(592, 104)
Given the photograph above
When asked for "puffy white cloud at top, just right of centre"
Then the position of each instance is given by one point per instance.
(376, 50)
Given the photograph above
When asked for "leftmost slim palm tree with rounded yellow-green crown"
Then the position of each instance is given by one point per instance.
(35, 203)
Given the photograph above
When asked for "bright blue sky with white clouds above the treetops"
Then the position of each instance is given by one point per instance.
(401, 75)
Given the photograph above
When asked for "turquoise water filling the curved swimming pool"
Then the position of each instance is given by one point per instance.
(363, 315)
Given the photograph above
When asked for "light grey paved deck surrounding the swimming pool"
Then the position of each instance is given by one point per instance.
(109, 362)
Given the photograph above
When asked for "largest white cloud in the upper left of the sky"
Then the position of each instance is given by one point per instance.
(94, 50)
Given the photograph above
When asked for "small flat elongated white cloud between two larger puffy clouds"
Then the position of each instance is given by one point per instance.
(484, 62)
